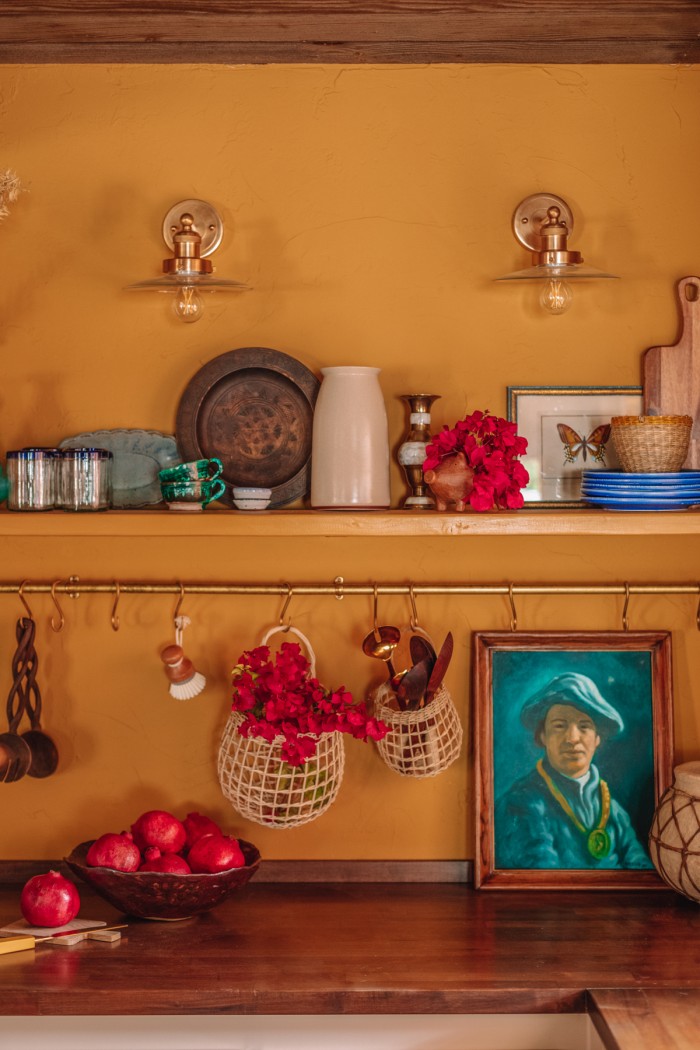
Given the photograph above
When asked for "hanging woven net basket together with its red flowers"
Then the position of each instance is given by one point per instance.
(282, 758)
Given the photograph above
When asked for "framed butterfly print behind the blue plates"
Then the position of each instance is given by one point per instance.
(568, 431)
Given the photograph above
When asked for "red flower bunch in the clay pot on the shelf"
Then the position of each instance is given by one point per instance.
(492, 449)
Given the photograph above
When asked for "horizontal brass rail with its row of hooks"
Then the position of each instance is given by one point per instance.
(73, 587)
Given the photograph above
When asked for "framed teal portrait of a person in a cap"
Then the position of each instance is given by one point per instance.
(574, 748)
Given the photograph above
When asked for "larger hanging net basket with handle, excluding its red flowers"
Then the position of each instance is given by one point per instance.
(266, 789)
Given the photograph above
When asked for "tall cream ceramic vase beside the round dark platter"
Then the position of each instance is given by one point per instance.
(350, 465)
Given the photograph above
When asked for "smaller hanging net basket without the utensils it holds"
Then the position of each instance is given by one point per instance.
(422, 743)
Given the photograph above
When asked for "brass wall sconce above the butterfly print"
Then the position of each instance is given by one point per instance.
(543, 224)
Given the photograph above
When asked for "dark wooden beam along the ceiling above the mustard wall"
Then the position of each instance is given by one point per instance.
(344, 32)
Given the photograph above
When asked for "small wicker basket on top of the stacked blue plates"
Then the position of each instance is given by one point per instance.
(652, 445)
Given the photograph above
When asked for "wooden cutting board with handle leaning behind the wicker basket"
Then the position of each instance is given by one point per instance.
(672, 374)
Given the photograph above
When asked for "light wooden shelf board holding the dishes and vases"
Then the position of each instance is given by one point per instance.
(283, 524)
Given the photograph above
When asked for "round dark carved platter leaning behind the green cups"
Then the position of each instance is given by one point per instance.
(252, 408)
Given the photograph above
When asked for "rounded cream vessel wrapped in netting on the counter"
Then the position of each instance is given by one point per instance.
(674, 841)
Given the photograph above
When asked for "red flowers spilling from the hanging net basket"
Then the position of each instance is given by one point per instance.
(280, 698)
